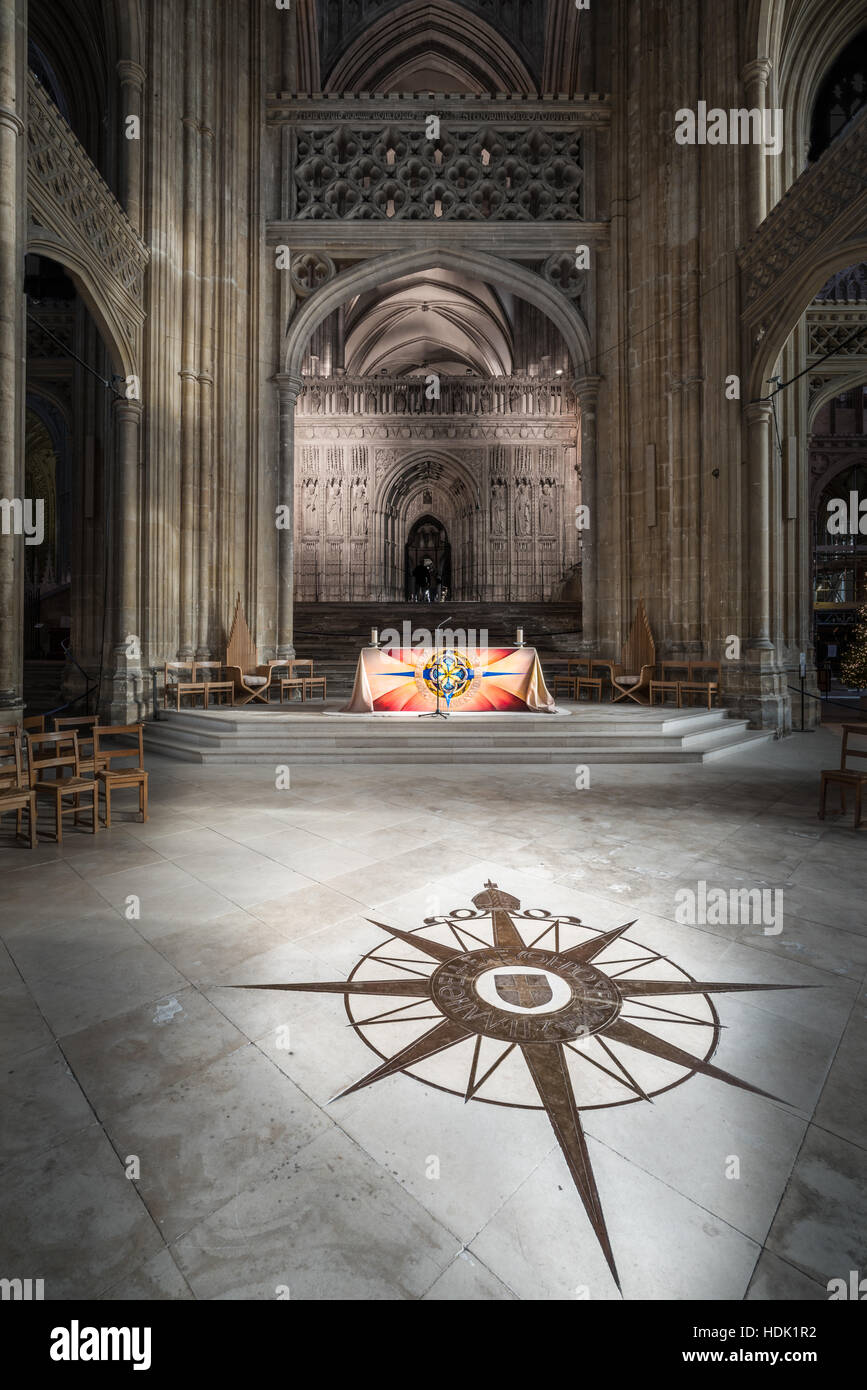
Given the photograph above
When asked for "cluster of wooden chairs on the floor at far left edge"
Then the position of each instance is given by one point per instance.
(72, 762)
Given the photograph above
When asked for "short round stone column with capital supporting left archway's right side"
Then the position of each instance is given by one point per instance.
(127, 628)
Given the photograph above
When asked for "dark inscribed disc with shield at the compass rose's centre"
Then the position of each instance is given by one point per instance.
(525, 996)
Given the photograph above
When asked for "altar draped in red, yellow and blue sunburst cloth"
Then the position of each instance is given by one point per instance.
(402, 680)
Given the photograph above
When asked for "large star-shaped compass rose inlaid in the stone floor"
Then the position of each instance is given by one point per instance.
(548, 1015)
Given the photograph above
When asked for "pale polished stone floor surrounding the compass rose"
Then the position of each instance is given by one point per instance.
(169, 1135)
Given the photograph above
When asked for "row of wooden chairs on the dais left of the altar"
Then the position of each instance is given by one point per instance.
(194, 680)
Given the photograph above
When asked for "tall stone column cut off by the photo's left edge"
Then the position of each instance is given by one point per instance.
(13, 201)
